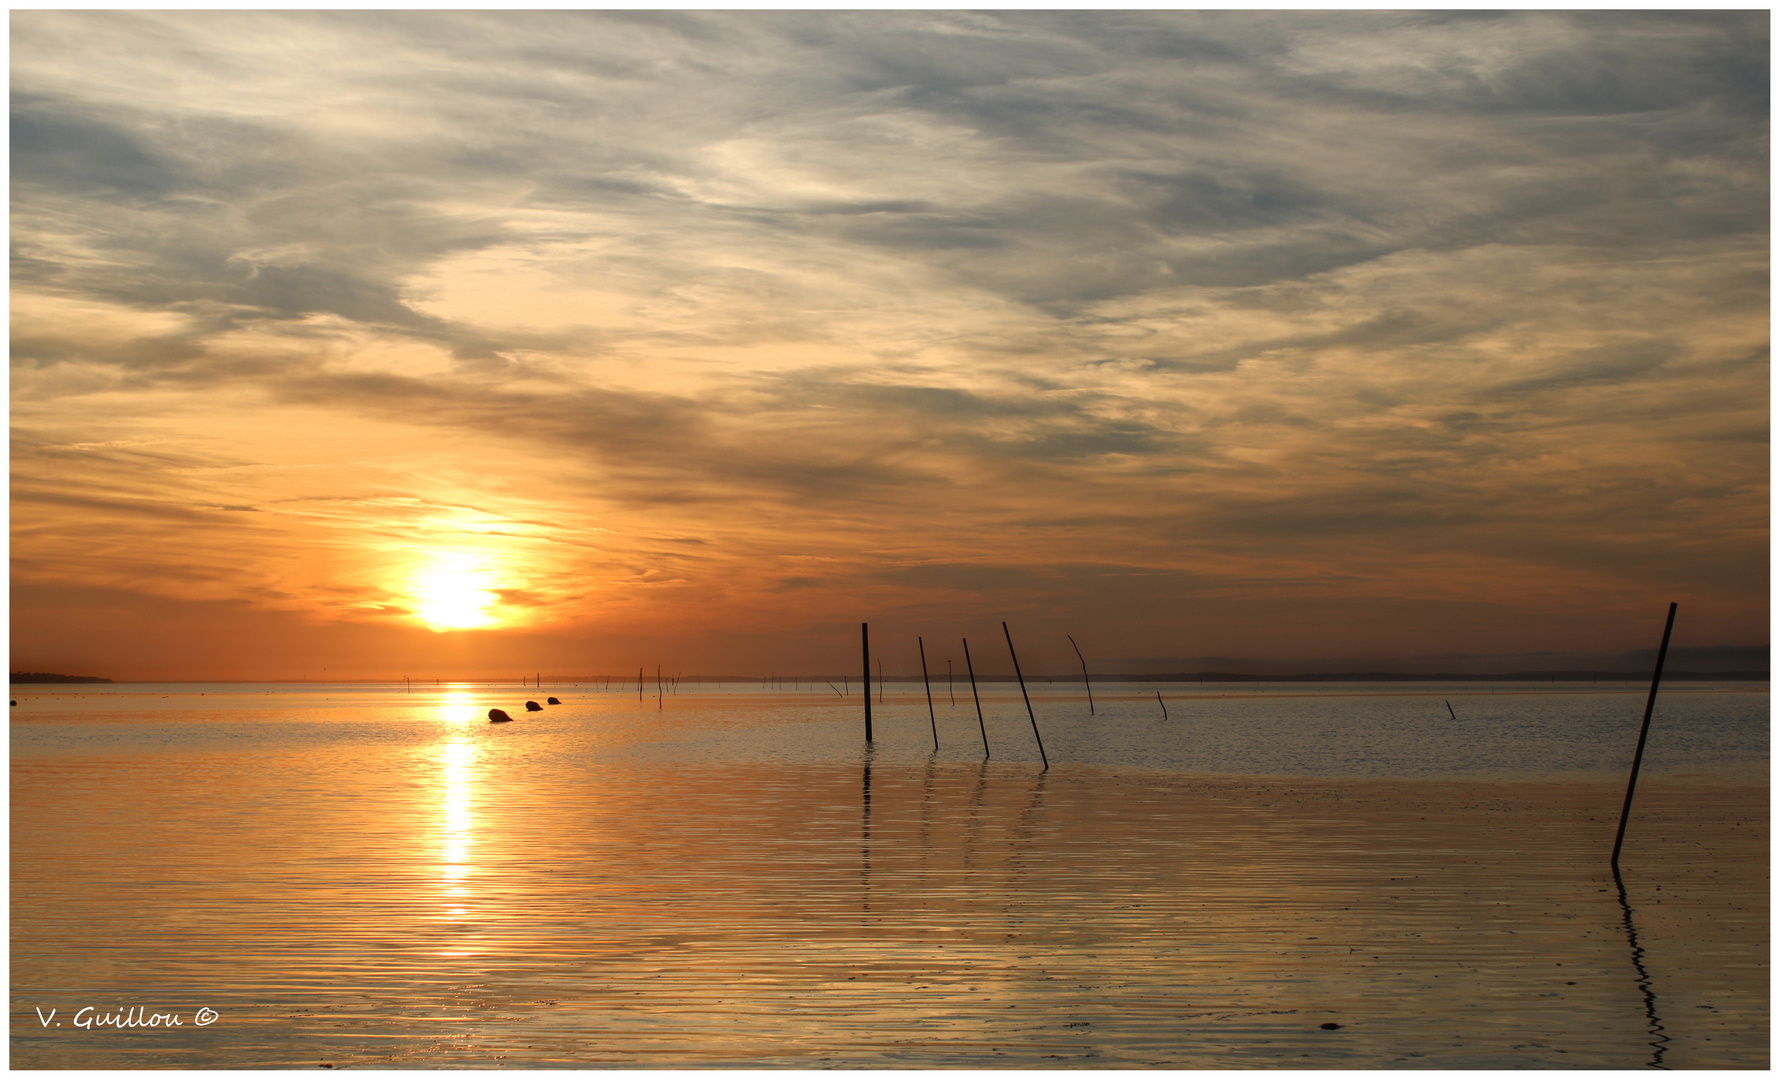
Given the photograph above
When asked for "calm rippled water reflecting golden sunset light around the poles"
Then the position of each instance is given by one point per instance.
(359, 876)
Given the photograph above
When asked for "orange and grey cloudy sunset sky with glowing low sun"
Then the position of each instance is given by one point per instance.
(462, 344)
